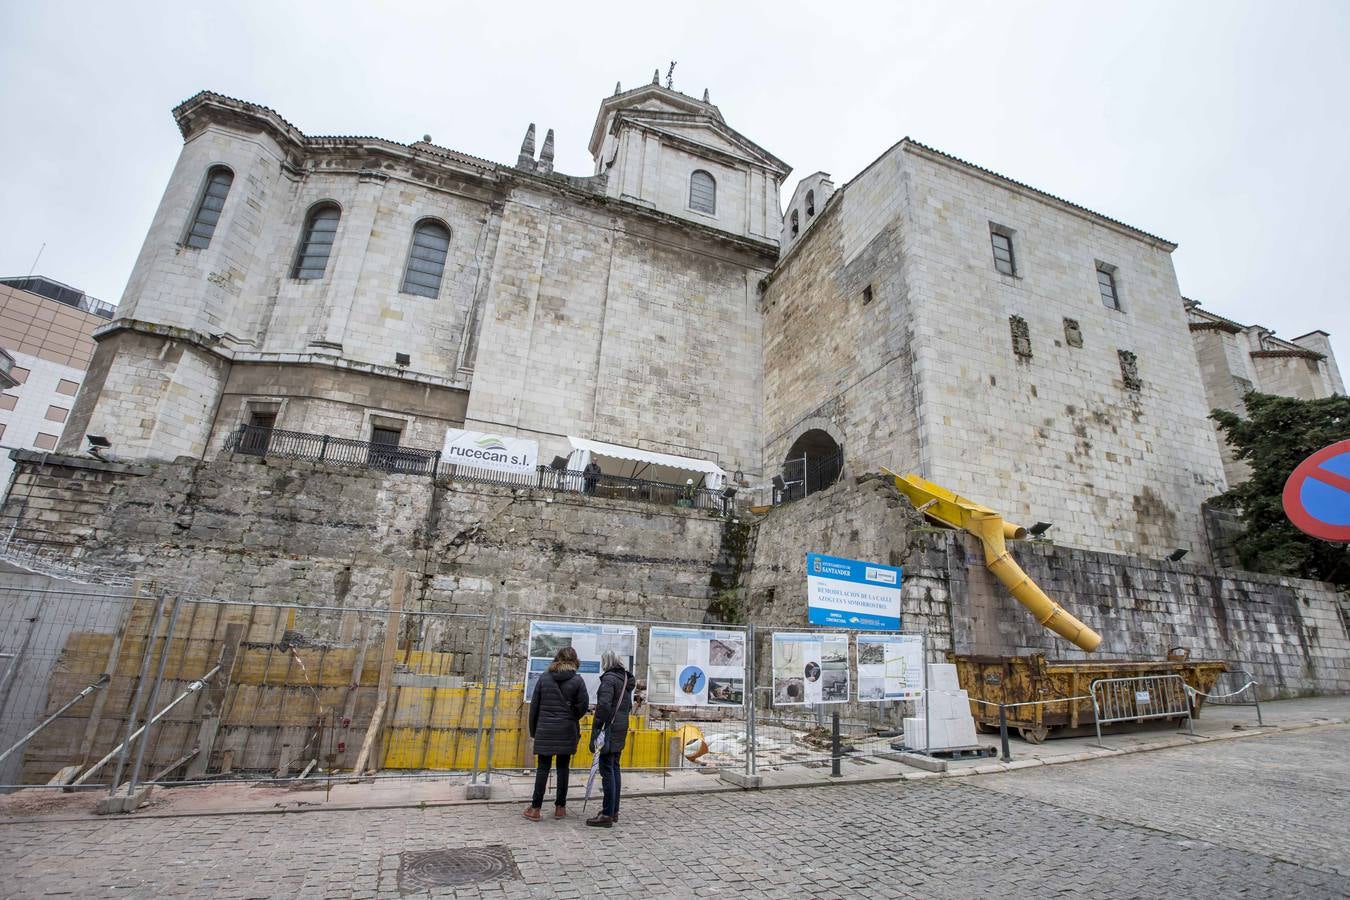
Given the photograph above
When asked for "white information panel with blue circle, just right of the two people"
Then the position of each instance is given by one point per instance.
(696, 667)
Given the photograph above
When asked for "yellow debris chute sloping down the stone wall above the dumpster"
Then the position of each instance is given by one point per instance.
(943, 505)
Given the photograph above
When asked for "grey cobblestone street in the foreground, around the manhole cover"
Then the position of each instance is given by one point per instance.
(1262, 817)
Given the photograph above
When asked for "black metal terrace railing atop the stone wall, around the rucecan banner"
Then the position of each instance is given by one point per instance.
(256, 441)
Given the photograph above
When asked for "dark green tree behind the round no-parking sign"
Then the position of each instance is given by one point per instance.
(1279, 434)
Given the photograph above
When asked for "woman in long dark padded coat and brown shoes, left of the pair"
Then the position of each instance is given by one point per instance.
(556, 714)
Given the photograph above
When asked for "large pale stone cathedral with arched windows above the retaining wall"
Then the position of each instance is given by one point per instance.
(928, 316)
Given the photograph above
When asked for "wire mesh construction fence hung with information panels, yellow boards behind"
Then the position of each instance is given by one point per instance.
(111, 687)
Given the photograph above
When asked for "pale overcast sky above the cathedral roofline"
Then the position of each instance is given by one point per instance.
(1220, 126)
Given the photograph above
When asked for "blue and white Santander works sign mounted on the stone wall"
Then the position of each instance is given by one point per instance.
(853, 594)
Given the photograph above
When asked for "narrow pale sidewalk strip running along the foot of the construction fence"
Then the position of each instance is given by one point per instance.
(1216, 724)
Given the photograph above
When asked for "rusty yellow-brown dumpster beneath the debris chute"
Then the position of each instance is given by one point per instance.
(1023, 679)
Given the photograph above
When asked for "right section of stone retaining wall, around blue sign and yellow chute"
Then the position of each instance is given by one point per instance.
(1290, 634)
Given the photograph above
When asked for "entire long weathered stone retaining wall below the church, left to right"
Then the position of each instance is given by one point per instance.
(267, 531)
